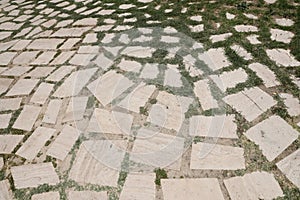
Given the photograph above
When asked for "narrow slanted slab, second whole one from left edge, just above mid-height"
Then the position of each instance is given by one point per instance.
(42, 93)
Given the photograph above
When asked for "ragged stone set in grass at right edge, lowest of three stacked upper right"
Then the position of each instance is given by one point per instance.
(282, 57)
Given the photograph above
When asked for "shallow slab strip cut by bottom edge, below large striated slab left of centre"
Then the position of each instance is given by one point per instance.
(87, 195)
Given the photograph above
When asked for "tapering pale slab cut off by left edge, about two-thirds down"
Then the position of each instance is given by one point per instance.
(9, 142)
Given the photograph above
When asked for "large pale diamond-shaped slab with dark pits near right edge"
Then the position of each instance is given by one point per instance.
(273, 136)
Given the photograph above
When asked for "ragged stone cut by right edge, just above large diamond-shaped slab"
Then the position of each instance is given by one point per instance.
(292, 104)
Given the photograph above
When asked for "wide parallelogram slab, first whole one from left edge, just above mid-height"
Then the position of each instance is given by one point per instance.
(22, 87)
